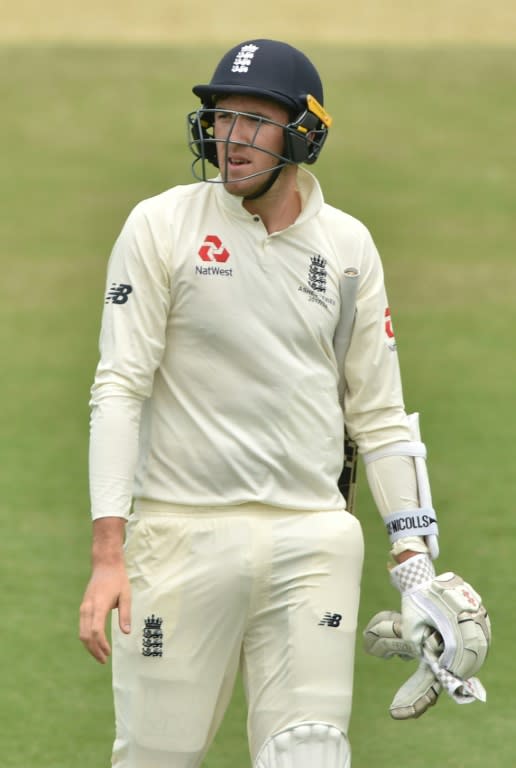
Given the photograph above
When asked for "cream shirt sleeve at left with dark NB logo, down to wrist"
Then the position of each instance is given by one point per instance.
(131, 345)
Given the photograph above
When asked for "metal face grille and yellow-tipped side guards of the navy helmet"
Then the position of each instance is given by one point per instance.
(303, 139)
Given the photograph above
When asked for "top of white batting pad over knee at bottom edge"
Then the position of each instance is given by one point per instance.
(306, 745)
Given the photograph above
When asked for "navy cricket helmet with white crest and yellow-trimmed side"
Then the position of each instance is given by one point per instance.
(272, 70)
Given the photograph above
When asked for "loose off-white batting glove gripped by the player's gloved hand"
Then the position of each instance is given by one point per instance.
(383, 638)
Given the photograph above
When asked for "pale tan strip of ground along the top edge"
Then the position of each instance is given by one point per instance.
(410, 22)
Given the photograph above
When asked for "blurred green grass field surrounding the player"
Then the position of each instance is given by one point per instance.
(423, 150)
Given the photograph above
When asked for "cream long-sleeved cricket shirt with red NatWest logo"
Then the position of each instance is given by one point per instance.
(217, 382)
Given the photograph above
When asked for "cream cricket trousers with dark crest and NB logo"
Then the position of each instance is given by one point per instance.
(269, 591)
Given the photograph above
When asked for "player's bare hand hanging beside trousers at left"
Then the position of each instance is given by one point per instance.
(107, 589)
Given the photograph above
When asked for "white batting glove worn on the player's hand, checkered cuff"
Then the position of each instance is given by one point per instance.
(449, 605)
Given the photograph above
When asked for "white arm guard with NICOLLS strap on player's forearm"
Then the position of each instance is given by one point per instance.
(420, 521)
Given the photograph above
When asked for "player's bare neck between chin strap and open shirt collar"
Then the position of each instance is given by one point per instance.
(281, 205)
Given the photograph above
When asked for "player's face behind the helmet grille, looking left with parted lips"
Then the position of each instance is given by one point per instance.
(247, 144)
